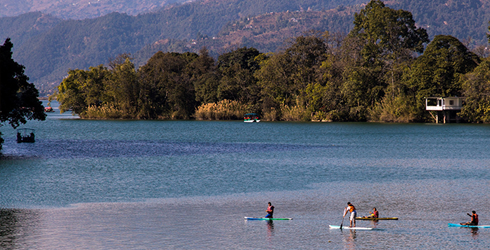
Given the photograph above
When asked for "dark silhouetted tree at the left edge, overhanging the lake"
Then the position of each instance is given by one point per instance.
(18, 98)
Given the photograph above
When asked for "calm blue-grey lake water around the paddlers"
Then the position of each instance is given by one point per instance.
(188, 185)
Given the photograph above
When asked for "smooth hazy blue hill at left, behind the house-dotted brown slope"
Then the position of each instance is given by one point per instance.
(82, 43)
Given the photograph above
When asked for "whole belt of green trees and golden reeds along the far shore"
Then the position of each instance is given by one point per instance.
(377, 72)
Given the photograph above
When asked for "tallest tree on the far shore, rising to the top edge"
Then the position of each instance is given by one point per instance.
(389, 40)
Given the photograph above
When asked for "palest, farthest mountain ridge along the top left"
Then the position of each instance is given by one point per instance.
(81, 9)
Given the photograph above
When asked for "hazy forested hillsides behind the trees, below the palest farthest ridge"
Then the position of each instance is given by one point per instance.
(49, 46)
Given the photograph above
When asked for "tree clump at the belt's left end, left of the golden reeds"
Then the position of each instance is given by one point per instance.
(163, 88)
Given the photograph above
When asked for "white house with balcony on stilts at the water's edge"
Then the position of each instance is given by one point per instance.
(445, 107)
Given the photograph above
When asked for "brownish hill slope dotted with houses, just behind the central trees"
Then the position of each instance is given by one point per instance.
(267, 32)
